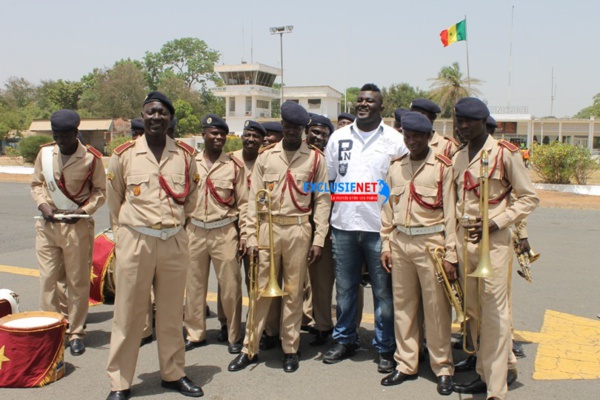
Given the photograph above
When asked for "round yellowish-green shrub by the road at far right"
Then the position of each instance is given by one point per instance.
(560, 162)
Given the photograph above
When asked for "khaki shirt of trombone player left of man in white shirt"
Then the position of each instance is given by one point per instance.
(270, 173)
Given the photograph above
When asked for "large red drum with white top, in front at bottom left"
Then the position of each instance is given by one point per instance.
(31, 349)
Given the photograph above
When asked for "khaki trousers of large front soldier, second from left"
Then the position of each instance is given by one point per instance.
(143, 261)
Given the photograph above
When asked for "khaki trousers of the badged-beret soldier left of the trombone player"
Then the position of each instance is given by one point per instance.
(220, 246)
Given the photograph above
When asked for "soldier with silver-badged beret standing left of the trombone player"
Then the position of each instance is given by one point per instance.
(222, 197)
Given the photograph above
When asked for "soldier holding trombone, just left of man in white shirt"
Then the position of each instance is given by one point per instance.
(282, 170)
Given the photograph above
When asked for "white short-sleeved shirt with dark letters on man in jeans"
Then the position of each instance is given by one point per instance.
(352, 158)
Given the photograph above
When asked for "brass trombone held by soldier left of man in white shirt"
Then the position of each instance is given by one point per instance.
(262, 198)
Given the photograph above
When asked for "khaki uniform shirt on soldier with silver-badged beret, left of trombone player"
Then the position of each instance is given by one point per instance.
(229, 182)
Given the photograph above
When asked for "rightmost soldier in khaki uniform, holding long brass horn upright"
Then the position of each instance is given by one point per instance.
(507, 177)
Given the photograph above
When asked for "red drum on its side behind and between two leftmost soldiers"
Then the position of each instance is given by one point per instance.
(102, 286)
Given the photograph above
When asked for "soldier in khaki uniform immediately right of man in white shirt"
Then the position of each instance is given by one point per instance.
(419, 215)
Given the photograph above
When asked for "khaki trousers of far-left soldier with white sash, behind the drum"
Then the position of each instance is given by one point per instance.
(63, 254)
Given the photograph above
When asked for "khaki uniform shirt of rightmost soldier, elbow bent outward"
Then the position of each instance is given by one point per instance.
(506, 170)
